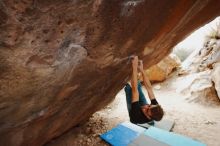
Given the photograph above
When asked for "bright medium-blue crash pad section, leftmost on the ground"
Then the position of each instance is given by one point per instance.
(119, 136)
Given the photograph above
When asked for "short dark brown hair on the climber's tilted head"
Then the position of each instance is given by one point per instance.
(156, 112)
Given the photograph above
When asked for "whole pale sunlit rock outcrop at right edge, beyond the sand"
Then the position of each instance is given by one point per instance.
(202, 70)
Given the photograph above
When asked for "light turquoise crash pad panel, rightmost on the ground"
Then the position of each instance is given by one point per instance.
(171, 138)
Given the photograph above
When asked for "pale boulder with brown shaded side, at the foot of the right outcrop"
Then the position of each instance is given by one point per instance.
(198, 87)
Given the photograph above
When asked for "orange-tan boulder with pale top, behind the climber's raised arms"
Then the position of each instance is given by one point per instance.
(163, 69)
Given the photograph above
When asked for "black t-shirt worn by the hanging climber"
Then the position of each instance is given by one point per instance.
(136, 114)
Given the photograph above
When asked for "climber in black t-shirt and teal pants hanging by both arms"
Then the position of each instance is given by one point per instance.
(139, 110)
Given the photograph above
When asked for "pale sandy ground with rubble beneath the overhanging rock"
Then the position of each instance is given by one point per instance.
(198, 120)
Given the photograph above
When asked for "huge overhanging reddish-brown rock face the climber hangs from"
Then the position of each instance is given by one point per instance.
(62, 60)
